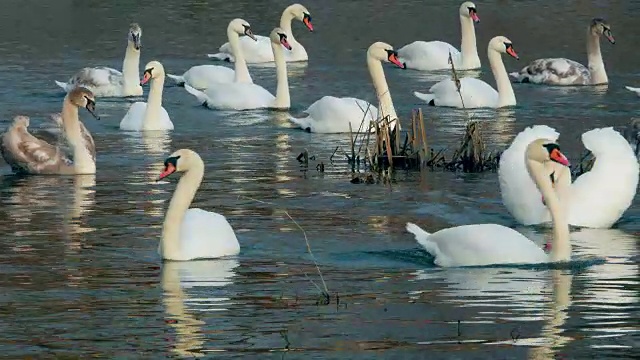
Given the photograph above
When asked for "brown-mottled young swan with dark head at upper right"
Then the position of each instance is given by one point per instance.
(561, 71)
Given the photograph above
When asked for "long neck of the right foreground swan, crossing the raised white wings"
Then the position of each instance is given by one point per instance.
(561, 248)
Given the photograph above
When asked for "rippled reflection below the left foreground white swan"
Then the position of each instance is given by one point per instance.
(194, 286)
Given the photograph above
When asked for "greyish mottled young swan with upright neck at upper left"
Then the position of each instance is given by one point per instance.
(107, 82)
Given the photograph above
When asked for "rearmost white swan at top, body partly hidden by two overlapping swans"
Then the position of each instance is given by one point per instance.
(260, 51)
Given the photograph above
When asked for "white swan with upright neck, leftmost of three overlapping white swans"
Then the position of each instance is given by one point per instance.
(199, 77)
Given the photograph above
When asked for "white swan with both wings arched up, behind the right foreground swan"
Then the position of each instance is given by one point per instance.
(596, 199)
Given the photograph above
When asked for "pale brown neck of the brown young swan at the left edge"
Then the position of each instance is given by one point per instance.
(82, 160)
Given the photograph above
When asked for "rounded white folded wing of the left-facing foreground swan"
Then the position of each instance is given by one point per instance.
(205, 234)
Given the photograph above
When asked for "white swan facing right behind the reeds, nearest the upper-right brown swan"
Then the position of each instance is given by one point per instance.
(477, 93)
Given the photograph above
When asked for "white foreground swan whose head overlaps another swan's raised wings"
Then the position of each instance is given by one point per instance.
(489, 244)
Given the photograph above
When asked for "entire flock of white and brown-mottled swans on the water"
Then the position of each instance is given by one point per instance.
(535, 182)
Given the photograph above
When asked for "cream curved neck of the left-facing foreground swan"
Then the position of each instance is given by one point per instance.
(182, 198)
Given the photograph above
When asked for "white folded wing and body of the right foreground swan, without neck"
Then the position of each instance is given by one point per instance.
(481, 244)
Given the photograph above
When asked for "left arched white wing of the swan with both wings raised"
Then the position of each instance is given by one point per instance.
(519, 193)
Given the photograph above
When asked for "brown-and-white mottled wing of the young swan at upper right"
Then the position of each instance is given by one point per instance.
(554, 71)
